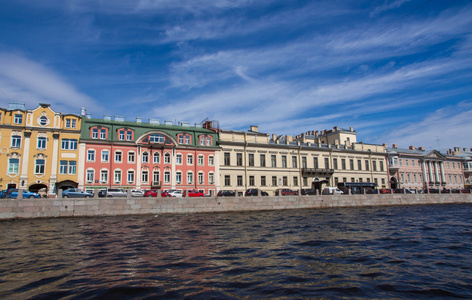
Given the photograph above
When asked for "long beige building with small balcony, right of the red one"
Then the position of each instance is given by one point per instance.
(312, 160)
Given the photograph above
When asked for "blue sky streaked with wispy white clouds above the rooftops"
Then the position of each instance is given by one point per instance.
(398, 71)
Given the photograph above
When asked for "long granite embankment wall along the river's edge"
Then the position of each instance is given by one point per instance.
(60, 207)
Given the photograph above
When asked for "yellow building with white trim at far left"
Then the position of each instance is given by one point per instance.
(38, 148)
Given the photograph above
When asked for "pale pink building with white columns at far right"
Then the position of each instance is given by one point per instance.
(420, 169)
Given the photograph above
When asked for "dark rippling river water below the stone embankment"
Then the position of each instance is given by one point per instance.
(384, 252)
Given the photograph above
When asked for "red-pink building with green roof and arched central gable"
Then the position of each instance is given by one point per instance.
(147, 155)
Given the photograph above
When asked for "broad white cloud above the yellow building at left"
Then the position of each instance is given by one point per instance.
(29, 82)
